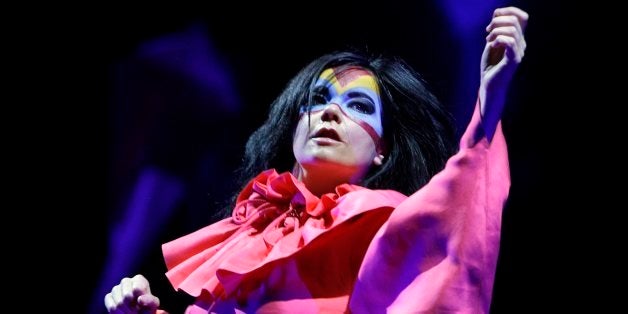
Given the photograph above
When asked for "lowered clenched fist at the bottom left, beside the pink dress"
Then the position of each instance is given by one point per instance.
(132, 295)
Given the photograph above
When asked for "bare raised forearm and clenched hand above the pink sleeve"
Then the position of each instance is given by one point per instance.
(504, 50)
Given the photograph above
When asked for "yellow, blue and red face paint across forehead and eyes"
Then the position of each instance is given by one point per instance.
(355, 91)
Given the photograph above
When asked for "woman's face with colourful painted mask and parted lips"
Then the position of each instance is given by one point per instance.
(344, 128)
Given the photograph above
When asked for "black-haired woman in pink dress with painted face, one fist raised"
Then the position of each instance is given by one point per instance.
(324, 224)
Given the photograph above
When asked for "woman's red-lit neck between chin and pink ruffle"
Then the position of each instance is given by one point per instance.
(320, 180)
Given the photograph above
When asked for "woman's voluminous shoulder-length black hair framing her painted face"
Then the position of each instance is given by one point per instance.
(419, 134)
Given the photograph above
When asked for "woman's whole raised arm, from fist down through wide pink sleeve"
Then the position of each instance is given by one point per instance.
(437, 252)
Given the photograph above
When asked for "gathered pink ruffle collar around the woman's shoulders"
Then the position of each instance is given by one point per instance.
(275, 216)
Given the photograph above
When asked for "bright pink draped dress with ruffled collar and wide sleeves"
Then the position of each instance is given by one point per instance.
(355, 250)
